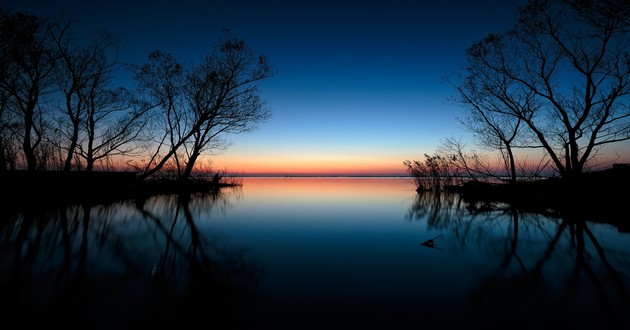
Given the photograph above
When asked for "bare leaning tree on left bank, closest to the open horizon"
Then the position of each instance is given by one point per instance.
(199, 104)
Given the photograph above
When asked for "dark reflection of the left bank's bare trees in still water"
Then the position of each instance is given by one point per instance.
(125, 264)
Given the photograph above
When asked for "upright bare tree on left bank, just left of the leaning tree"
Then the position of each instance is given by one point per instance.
(99, 121)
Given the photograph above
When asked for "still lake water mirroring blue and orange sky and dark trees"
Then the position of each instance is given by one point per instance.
(317, 253)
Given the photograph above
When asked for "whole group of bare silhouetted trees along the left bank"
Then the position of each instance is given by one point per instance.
(61, 110)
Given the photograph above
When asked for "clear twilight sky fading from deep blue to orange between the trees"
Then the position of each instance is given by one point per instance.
(358, 86)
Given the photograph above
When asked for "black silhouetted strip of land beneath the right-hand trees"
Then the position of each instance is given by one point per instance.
(597, 196)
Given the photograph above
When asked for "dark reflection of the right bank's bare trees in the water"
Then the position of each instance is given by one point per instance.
(552, 268)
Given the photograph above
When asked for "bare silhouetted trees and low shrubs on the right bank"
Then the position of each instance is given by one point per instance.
(558, 81)
